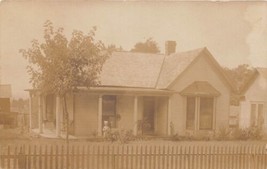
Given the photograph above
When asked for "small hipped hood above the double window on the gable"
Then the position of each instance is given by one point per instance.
(200, 88)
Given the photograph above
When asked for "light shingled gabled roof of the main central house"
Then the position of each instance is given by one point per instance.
(128, 69)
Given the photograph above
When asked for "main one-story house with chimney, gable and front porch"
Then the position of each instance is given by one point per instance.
(186, 90)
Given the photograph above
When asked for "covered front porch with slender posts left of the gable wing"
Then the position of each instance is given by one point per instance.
(89, 108)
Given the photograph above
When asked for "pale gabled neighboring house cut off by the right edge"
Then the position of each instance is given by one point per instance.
(253, 108)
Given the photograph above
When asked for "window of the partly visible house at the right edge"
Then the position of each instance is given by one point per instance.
(256, 114)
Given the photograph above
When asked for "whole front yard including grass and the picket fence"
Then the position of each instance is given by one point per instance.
(41, 153)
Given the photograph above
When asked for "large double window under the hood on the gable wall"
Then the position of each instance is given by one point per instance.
(203, 108)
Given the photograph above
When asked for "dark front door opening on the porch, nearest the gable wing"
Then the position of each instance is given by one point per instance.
(149, 115)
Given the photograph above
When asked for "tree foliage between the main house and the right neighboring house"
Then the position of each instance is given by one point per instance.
(240, 76)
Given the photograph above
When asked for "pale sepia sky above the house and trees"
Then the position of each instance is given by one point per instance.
(234, 32)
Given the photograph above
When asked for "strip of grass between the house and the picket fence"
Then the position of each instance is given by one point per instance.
(15, 137)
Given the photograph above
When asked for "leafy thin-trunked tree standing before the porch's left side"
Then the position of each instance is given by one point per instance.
(60, 66)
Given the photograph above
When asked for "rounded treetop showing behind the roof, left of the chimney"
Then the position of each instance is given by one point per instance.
(149, 46)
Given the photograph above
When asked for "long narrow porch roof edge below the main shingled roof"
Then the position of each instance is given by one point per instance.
(126, 91)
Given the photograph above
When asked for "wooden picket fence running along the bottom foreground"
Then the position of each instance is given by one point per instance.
(133, 157)
